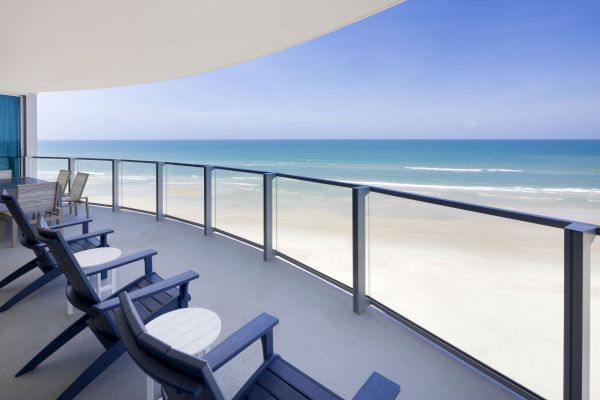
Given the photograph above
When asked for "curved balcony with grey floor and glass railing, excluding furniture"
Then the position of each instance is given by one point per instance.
(443, 326)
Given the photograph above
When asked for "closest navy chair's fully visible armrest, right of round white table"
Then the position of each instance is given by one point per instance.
(260, 327)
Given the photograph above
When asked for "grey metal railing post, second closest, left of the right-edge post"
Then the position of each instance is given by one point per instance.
(359, 254)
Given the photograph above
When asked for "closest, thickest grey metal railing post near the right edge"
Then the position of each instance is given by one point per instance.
(578, 240)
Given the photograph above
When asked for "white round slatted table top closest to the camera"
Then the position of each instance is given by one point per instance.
(189, 330)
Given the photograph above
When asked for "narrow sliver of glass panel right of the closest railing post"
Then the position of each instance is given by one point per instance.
(595, 321)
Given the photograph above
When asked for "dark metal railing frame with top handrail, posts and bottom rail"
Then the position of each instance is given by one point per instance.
(578, 238)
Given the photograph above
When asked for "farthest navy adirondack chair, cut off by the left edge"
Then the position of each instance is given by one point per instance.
(43, 258)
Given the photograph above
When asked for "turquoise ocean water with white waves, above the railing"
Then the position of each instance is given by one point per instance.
(556, 174)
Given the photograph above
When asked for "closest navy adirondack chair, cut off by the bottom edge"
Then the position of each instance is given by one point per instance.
(185, 377)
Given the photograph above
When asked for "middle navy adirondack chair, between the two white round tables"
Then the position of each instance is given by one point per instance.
(152, 294)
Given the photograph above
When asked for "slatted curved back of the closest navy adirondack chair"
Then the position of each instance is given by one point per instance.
(181, 375)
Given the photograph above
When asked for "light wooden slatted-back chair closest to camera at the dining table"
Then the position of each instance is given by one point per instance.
(35, 199)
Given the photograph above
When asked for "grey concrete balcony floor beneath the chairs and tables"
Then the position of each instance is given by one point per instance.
(318, 332)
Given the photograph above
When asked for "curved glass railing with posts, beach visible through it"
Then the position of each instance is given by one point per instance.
(504, 291)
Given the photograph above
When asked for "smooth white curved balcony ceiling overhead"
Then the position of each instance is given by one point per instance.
(69, 45)
